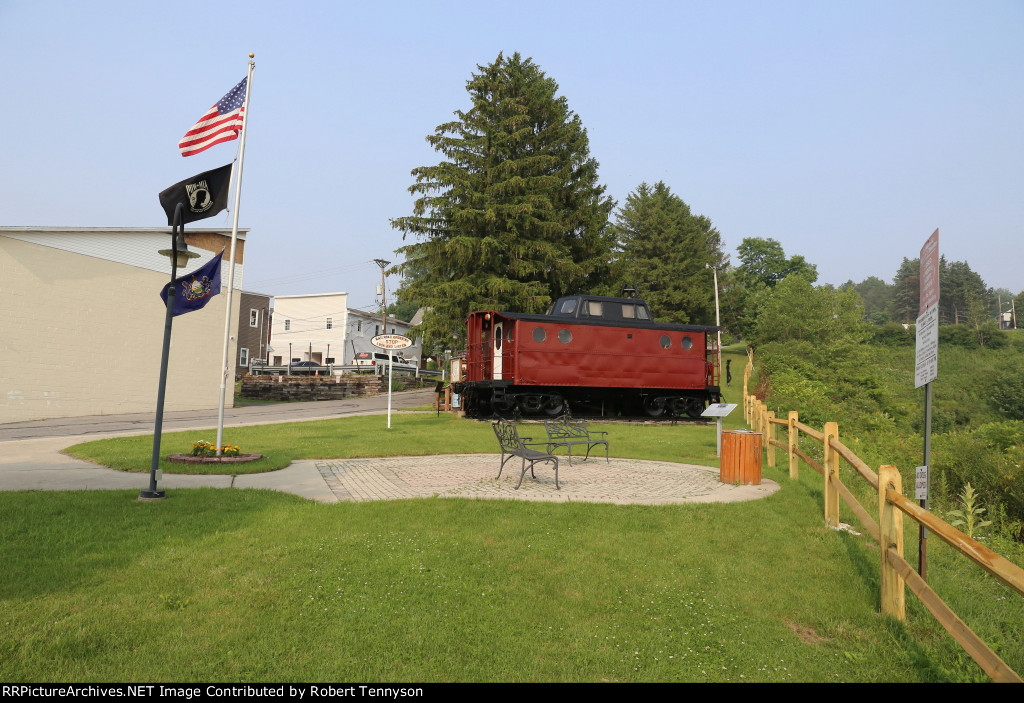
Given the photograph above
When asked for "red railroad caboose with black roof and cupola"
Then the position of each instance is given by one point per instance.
(594, 355)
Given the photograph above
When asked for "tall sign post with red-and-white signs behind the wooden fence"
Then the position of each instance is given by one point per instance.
(926, 368)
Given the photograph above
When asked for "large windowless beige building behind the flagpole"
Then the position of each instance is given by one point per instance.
(82, 323)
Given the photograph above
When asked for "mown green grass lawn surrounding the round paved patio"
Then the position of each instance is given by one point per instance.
(248, 586)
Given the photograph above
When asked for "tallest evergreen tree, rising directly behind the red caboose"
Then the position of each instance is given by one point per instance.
(514, 216)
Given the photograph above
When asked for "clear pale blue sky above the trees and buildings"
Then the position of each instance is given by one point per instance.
(848, 131)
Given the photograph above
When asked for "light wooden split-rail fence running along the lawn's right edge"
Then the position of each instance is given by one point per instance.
(897, 573)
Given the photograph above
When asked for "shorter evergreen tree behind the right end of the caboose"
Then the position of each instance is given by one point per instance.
(666, 251)
